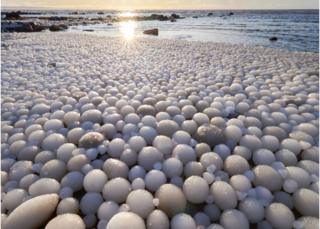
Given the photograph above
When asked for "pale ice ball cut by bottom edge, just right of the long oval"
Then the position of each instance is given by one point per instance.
(66, 221)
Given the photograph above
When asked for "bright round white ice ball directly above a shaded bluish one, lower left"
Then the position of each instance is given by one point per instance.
(95, 180)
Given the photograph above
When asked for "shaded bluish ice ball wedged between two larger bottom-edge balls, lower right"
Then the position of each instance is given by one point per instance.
(253, 209)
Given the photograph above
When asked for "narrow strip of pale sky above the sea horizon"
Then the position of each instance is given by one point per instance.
(163, 4)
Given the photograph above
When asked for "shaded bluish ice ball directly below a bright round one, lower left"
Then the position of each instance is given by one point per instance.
(90, 203)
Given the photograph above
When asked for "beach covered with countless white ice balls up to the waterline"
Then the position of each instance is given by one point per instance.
(102, 132)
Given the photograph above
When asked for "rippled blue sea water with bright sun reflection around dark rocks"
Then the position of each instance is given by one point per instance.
(296, 30)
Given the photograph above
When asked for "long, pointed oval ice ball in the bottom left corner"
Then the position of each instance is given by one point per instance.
(32, 213)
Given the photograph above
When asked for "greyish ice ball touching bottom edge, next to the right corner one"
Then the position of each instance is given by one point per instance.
(279, 216)
